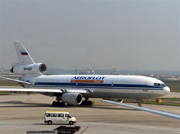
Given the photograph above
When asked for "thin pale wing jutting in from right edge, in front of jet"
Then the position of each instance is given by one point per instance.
(172, 115)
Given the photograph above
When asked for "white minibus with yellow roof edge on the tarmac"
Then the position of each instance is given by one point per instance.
(59, 117)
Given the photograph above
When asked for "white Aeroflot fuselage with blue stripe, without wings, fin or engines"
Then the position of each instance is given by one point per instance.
(104, 86)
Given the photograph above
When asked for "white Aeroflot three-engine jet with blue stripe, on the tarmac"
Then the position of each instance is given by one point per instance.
(76, 90)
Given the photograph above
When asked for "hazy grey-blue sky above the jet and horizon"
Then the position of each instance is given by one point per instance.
(97, 34)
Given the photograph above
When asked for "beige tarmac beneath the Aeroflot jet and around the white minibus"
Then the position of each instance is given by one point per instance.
(20, 113)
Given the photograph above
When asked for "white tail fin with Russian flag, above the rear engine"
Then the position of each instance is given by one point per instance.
(23, 55)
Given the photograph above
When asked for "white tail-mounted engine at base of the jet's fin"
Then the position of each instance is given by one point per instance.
(30, 69)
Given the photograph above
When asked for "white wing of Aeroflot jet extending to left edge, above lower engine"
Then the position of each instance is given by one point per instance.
(38, 90)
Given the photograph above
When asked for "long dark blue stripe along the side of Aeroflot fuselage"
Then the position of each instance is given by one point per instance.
(92, 85)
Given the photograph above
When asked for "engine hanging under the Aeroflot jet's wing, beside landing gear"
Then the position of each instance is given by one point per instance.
(72, 98)
